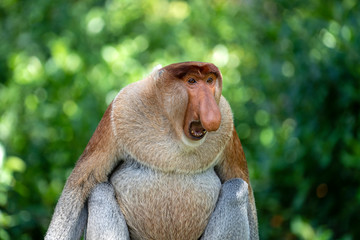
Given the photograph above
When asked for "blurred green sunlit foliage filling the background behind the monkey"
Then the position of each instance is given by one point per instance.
(291, 74)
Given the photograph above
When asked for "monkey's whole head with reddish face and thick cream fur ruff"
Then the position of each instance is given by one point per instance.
(179, 108)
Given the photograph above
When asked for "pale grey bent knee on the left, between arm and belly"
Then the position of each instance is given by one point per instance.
(105, 219)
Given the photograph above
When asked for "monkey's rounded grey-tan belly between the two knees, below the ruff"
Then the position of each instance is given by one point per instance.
(165, 206)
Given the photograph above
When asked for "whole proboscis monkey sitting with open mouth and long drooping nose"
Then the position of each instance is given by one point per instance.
(165, 162)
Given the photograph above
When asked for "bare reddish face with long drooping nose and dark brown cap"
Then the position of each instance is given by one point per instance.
(202, 114)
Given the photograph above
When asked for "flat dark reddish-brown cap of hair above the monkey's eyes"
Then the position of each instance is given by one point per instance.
(199, 69)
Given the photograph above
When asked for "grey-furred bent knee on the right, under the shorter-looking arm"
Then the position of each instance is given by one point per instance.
(230, 219)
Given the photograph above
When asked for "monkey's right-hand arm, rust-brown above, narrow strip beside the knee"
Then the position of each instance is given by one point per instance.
(233, 165)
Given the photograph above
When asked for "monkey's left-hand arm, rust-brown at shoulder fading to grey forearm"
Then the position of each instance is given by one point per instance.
(94, 165)
